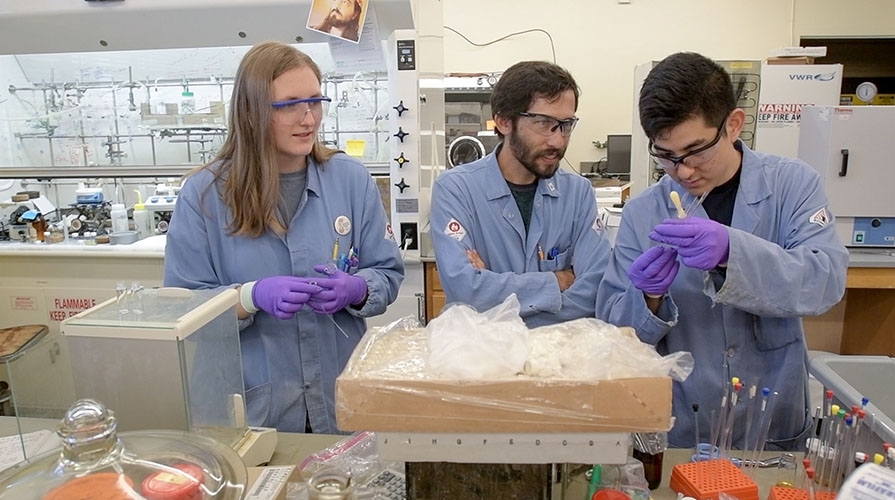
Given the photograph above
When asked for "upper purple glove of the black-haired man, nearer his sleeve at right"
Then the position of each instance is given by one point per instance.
(701, 243)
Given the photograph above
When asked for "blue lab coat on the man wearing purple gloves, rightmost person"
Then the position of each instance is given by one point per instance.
(786, 261)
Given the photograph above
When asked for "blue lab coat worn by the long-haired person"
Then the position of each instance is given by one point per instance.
(290, 366)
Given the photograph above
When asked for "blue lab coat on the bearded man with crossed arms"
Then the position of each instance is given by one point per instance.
(473, 208)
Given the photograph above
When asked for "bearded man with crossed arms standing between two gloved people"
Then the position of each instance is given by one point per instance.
(513, 222)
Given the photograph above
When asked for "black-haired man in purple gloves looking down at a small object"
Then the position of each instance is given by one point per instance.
(730, 281)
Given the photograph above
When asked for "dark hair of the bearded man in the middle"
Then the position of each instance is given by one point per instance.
(524, 82)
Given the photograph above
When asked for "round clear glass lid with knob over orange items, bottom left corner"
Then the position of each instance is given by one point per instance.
(96, 462)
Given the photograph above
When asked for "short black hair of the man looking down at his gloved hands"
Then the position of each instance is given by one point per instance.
(683, 86)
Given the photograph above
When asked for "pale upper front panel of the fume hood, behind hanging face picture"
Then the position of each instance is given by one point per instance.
(52, 26)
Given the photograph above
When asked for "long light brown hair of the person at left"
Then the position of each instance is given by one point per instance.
(251, 178)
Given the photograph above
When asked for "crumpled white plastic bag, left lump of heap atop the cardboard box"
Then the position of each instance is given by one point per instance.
(465, 344)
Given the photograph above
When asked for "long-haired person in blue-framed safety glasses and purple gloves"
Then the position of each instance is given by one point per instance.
(298, 228)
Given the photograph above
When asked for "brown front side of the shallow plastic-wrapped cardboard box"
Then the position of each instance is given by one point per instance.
(623, 405)
